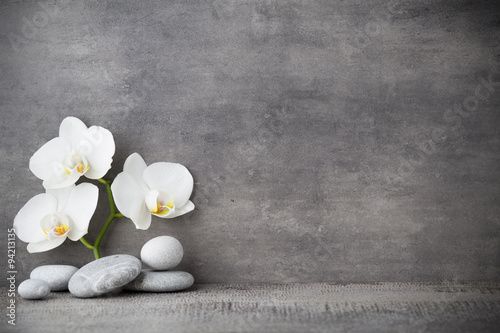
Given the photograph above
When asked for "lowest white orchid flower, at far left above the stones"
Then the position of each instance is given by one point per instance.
(49, 218)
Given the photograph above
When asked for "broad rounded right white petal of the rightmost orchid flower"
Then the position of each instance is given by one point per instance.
(172, 178)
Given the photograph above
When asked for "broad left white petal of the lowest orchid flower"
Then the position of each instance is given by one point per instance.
(27, 220)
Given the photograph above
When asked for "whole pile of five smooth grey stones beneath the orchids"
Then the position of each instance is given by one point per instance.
(114, 273)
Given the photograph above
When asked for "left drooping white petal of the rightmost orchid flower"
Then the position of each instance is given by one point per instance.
(129, 199)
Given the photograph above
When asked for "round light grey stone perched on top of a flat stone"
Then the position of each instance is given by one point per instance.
(162, 253)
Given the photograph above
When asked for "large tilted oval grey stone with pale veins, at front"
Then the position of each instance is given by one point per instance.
(104, 275)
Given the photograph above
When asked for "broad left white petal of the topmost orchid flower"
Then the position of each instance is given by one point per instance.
(42, 162)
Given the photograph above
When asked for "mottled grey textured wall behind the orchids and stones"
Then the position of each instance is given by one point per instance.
(334, 141)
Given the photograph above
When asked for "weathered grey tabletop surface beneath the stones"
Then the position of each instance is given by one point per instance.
(380, 307)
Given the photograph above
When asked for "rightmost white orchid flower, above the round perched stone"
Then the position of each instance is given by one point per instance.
(161, 189)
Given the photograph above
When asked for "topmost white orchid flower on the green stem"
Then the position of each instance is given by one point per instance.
(76, 152)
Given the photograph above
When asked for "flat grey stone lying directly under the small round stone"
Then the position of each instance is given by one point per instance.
(158, 281)
